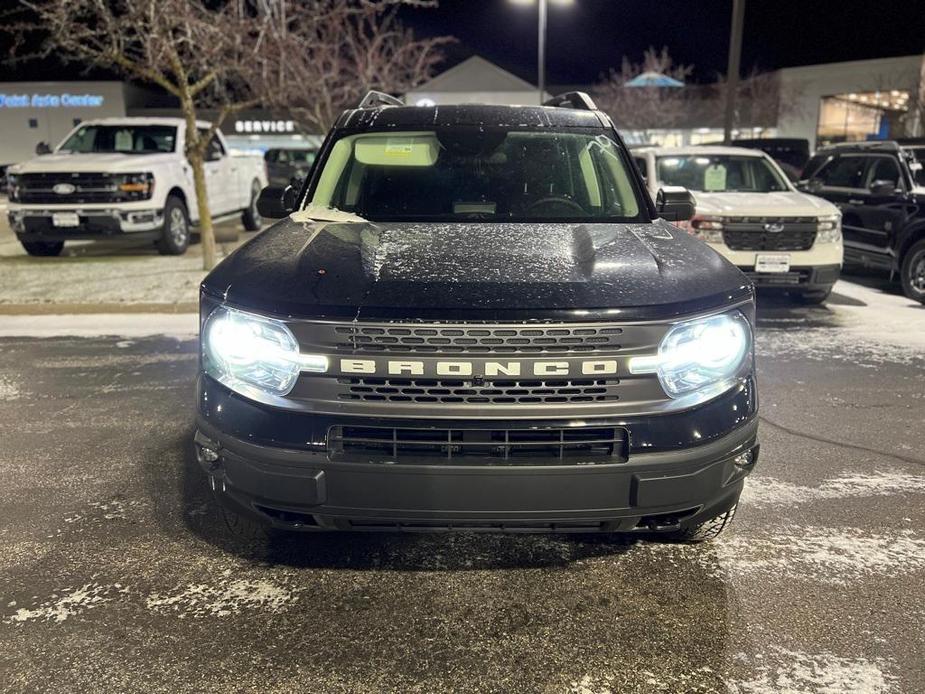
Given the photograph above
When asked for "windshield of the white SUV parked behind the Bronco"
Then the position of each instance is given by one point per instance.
(720, 173)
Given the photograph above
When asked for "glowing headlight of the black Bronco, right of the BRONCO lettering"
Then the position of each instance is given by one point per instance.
(697, 354)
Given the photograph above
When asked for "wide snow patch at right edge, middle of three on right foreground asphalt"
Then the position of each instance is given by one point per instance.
(837, 556)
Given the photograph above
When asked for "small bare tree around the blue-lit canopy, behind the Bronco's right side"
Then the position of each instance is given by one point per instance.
(646, 108)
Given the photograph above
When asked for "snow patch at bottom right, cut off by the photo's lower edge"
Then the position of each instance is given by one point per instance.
(821, 673)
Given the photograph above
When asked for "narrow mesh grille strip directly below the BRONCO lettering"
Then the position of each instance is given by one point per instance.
(475, 392)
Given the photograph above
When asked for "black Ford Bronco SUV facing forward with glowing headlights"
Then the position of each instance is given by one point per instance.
(474, 317)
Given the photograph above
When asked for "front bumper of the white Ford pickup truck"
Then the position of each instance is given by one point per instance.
(36, 224)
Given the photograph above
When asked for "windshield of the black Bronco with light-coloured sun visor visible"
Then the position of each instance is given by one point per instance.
(464, 173)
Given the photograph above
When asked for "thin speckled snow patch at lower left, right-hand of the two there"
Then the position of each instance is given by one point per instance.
(203, 600)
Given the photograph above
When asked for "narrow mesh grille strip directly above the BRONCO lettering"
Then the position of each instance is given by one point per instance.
(476, 338)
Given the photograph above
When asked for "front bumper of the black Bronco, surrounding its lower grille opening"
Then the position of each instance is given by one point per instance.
(275, 466)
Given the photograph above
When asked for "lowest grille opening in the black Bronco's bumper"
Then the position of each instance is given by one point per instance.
(572, 445)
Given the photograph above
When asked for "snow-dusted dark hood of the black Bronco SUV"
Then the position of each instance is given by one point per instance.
(313, 269)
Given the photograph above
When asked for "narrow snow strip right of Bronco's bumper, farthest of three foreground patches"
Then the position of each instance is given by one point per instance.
(767, 491)
